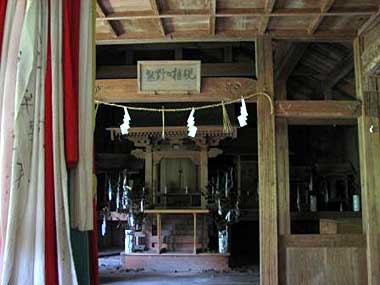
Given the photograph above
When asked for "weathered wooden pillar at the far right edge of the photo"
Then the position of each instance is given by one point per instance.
(369, 152)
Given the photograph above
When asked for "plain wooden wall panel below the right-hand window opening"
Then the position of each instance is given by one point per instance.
(324, 259)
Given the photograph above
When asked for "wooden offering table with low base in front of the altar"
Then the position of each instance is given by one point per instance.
(176, 259)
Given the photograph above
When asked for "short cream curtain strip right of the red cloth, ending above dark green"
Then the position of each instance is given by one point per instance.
(81, 179)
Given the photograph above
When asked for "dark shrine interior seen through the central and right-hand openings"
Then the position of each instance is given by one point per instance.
(324, 172)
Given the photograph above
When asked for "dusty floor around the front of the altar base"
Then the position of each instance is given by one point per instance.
(111, 273)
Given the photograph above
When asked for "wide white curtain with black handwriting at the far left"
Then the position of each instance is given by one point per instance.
(24, 252)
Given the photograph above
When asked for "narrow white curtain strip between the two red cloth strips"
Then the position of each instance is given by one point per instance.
(66, 268)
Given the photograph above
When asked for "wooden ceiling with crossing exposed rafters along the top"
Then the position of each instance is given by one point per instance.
(213, 21)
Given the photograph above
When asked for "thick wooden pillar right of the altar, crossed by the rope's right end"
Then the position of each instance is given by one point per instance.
(267, 164)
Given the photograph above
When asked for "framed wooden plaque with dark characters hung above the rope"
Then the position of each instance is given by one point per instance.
(169, 76)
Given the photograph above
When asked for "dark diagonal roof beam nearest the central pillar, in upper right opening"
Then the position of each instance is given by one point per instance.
(290, 60)
